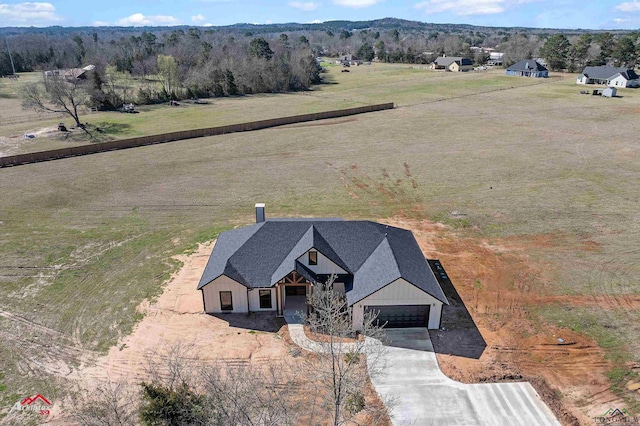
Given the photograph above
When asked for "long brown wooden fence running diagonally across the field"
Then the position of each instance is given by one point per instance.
(56, 154)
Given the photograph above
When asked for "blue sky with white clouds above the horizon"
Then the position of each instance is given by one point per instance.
(602, 14)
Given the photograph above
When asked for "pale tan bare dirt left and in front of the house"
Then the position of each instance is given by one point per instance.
(177, 316)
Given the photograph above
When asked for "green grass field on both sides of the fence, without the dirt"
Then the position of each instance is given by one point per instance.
(518, 156)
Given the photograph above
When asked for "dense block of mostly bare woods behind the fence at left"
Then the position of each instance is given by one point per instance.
(155, 67)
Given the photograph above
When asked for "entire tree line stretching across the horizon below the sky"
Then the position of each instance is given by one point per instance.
(159, 64)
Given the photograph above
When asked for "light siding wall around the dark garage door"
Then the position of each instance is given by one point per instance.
(399, 292)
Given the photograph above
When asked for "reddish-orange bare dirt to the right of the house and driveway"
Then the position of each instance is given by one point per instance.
(490, 336)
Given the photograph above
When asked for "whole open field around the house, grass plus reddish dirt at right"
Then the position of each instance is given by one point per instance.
(524, 189)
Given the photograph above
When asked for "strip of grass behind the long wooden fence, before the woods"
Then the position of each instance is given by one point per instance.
(363, 85)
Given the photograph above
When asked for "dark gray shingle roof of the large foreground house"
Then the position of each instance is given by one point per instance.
(374, 254)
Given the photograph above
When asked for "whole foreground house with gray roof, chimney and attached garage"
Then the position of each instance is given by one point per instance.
(274, 264)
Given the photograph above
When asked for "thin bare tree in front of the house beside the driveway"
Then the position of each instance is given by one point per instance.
(342, 366)
